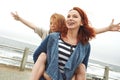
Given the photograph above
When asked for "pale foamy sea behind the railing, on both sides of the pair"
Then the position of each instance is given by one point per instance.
(11, 53)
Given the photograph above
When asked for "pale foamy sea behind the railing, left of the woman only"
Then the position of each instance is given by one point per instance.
(11, 50)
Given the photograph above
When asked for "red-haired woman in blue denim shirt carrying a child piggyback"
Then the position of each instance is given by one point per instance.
(69, 49)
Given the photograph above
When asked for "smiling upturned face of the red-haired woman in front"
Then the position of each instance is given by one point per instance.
(73, 20)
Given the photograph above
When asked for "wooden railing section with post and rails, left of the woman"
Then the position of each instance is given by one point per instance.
(23, 61)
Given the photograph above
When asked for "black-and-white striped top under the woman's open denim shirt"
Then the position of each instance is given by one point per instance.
(65, 51)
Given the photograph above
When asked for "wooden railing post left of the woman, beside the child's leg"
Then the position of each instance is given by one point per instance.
(24, 59)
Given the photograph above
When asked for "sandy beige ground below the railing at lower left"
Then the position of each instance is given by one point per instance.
(8, 72)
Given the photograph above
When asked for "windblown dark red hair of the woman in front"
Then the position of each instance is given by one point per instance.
(85, 32)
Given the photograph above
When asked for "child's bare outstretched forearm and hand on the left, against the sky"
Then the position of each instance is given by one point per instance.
(27, 23)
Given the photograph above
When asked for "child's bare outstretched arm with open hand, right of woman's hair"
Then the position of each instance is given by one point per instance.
(111, 27)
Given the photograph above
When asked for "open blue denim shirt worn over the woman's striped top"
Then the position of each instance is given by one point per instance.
(50, 46)
